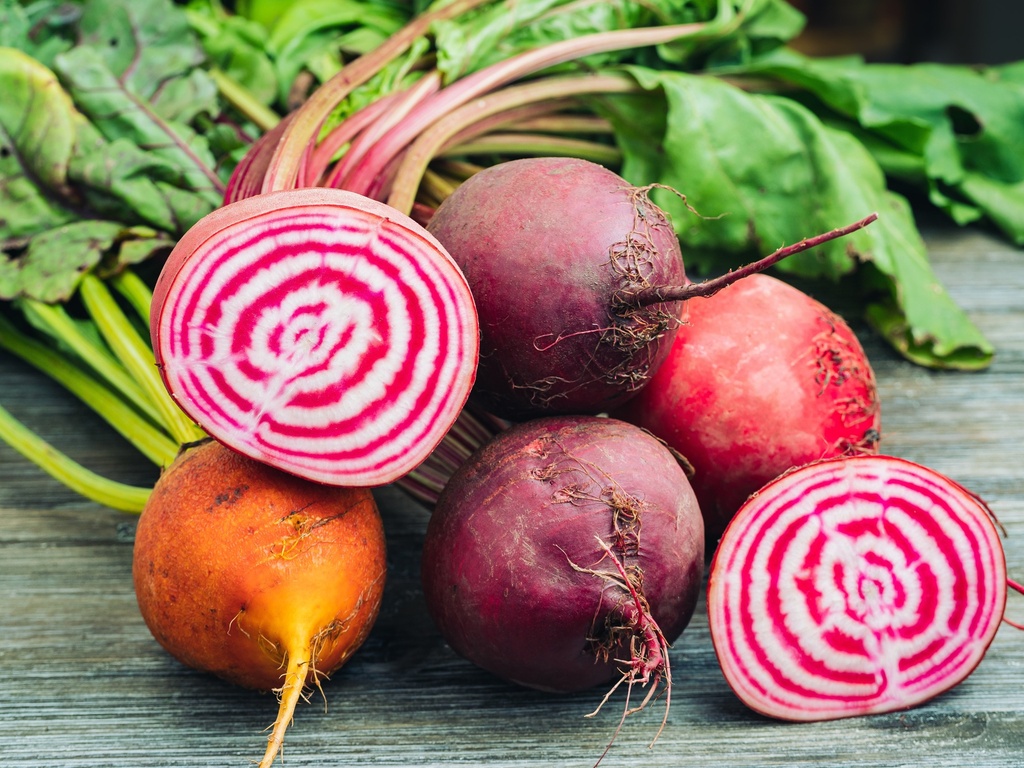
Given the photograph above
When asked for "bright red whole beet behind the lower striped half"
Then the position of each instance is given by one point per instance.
(761, 378)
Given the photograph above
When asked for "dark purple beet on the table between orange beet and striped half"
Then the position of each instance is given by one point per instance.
(526, 551)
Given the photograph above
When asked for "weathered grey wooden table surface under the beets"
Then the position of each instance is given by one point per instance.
(82, 684)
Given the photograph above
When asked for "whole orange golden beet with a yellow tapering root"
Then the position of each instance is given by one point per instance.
(264, 579)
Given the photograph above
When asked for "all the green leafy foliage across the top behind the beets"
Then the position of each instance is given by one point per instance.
(113, 115)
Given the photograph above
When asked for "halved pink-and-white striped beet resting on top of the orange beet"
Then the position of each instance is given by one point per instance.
(318, 331)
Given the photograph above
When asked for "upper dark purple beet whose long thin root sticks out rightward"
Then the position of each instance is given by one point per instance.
(547, 244)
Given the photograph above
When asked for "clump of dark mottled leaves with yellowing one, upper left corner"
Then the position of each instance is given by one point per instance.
(103, 153)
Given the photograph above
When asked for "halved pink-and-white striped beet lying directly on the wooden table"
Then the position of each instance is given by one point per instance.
(856, 586)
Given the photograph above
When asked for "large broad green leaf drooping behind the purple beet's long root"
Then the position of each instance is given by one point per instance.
(763, 172)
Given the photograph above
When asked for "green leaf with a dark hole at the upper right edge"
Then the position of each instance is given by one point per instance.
(967, 125)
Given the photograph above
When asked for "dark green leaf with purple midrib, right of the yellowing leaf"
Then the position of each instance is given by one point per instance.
(135, 77)
